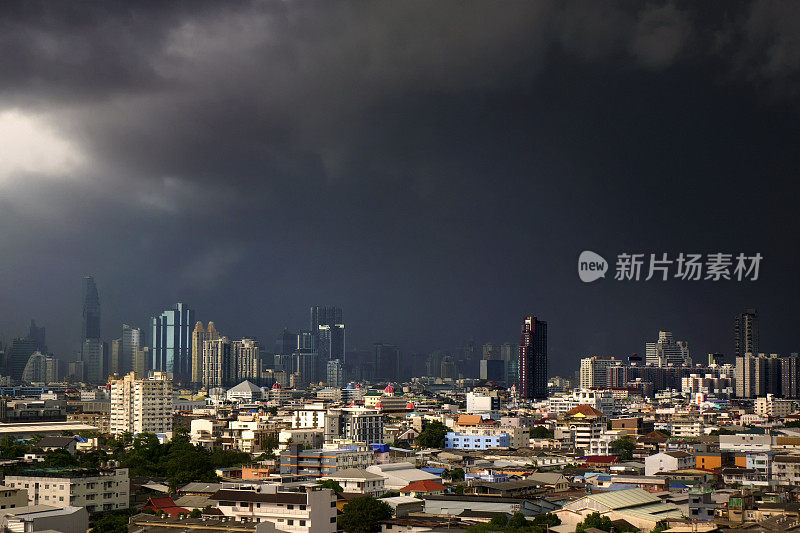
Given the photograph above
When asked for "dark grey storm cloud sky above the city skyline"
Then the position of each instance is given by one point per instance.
(433, 167)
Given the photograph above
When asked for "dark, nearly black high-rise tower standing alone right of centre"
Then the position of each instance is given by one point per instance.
(533, 359)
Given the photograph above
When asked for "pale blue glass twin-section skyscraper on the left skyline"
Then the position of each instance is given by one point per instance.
(172, 342)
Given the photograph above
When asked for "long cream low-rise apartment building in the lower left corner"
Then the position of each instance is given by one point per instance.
(97, 490)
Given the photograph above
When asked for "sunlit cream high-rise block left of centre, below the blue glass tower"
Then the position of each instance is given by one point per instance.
(141, 405)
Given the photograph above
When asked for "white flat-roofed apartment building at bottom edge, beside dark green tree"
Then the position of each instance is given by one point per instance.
(299, 510)
